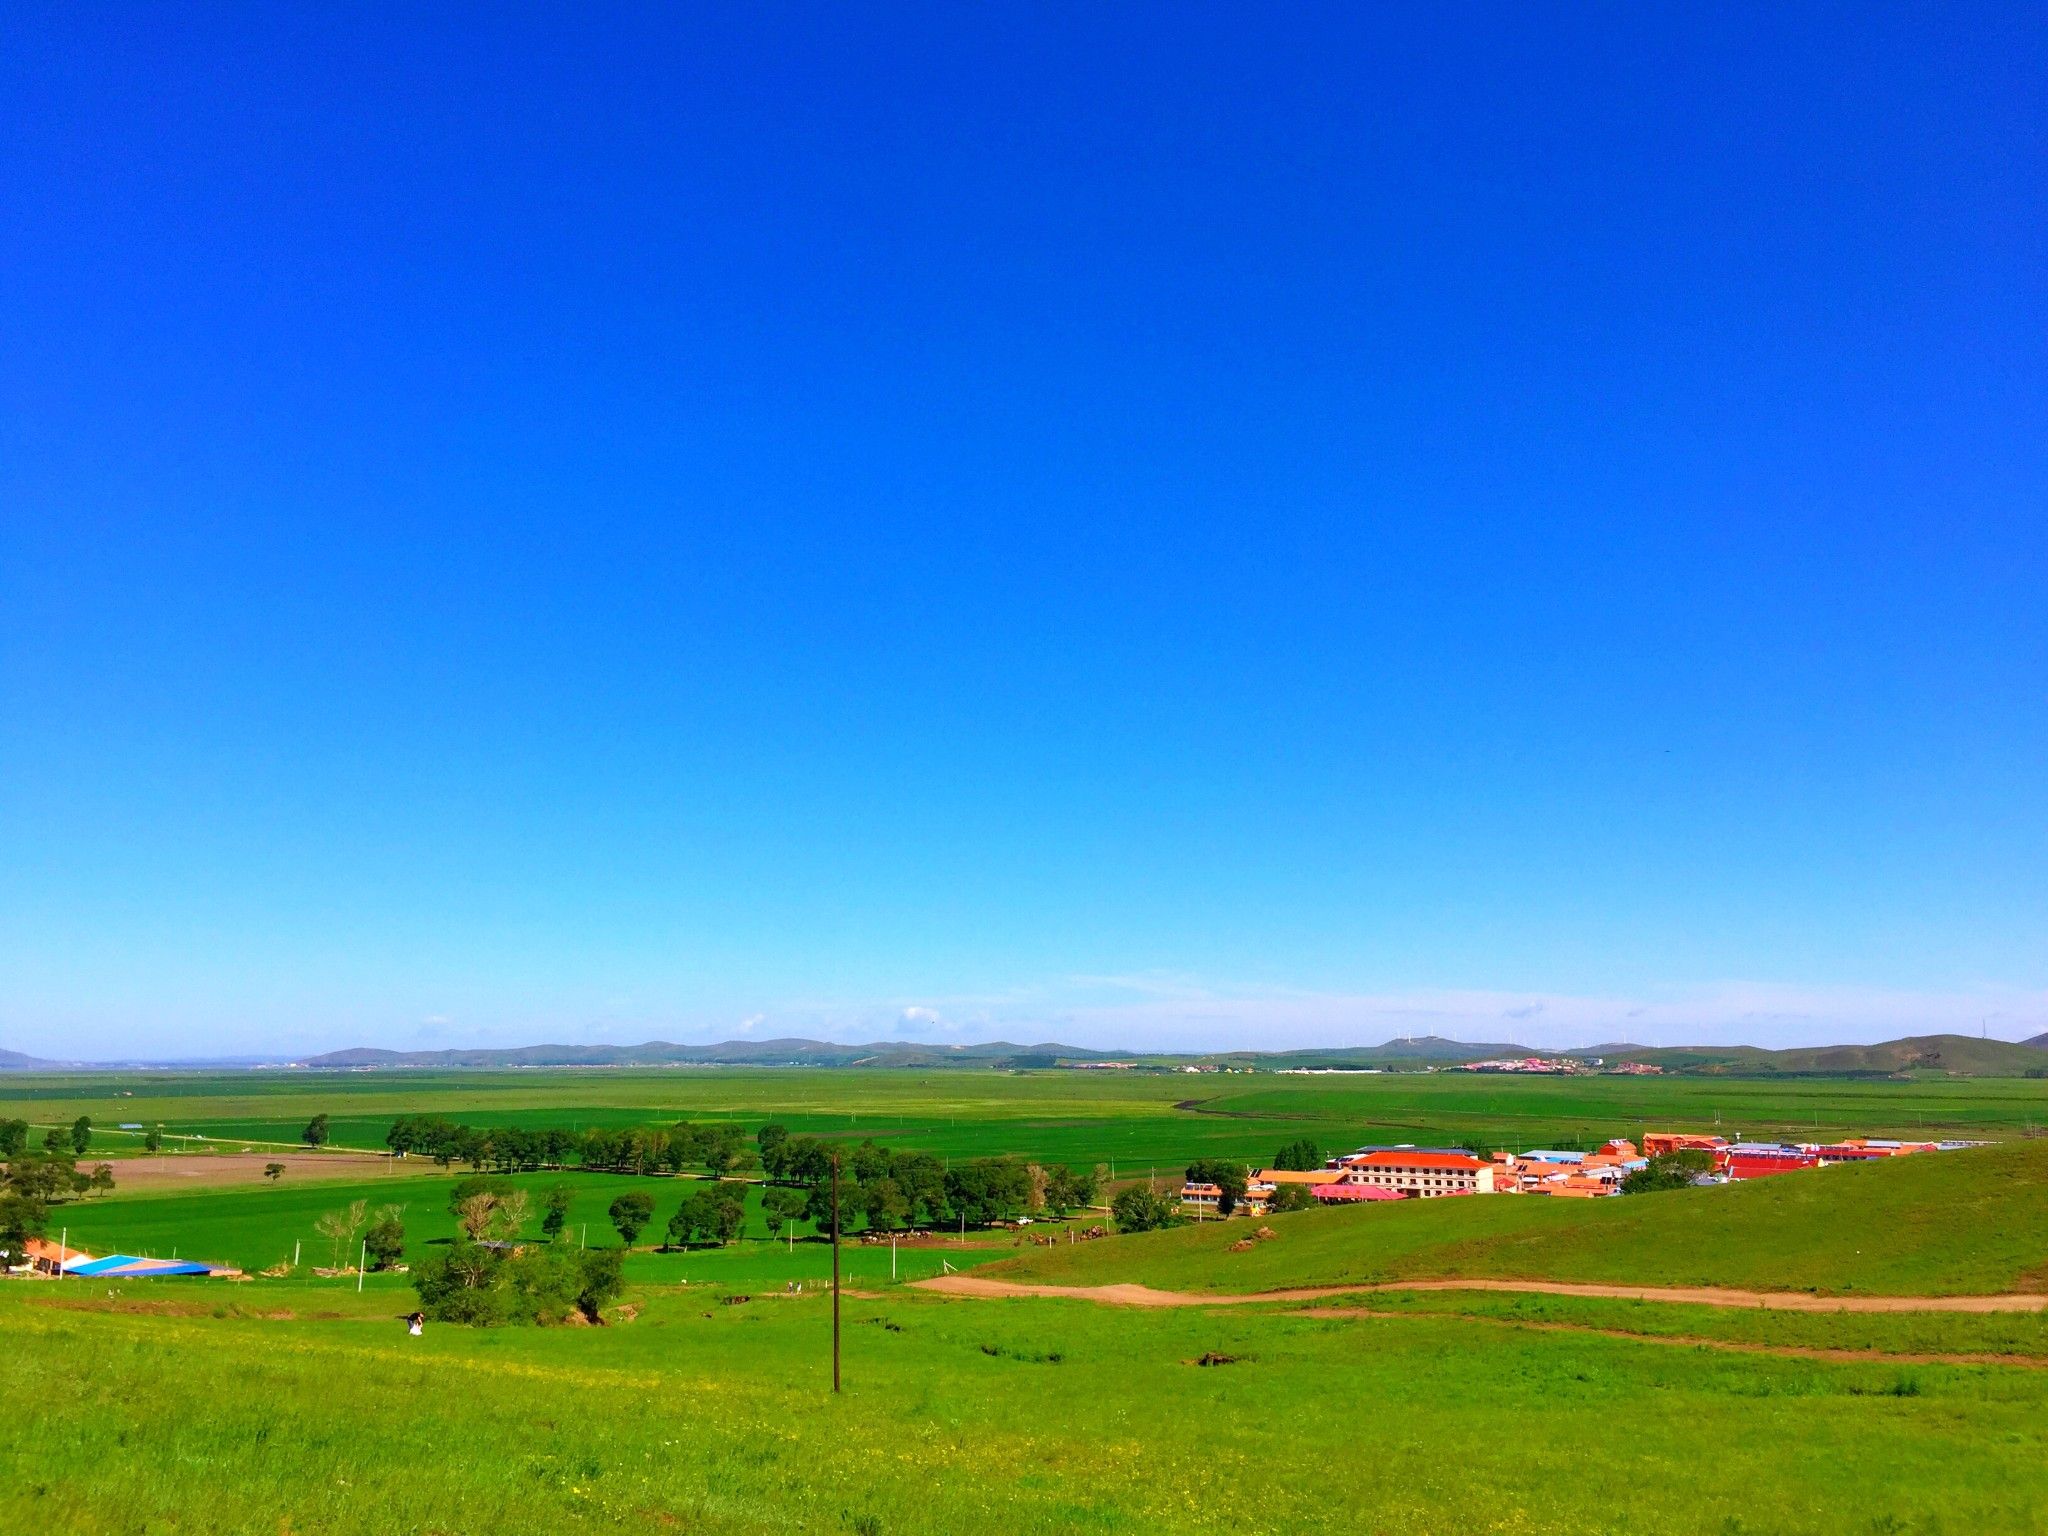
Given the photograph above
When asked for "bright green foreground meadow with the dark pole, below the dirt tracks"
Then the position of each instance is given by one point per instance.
(984, 1418)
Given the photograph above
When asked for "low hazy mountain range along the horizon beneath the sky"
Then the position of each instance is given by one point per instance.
(1961, 1056)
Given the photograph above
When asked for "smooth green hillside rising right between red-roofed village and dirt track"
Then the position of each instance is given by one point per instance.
(1951, 1224)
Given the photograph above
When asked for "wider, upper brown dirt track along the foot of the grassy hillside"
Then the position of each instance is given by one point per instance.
(1783, 1302)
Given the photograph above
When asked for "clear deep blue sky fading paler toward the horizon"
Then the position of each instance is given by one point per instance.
(1164, 527)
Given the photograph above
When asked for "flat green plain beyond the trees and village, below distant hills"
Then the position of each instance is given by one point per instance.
(1134, 1121)
